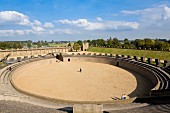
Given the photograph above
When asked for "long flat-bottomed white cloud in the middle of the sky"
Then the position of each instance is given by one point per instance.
(102, 25)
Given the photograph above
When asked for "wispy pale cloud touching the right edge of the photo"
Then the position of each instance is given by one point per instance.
(155, 16)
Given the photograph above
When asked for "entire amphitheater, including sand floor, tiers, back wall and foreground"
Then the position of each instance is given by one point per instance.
(39, 83)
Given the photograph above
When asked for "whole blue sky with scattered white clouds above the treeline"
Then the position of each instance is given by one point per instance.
(71, 20)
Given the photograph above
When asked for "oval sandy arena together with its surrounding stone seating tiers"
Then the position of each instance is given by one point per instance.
(104, 78)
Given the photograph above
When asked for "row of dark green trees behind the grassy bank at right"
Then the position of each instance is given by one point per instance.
(154, 44)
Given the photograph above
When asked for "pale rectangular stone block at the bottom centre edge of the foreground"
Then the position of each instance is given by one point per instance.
(87, 108)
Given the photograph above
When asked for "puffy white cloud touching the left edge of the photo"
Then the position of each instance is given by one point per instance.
(13, 17)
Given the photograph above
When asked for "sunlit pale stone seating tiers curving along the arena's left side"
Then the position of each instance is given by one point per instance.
(10, 93)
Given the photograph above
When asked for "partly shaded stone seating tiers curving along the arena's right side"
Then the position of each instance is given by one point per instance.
(163, 78)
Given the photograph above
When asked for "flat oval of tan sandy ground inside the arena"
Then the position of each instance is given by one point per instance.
(96, 82)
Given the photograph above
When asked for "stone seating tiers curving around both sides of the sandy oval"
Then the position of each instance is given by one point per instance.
(8, 92)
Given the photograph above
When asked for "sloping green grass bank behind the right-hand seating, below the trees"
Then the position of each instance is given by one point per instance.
(163, 55)
